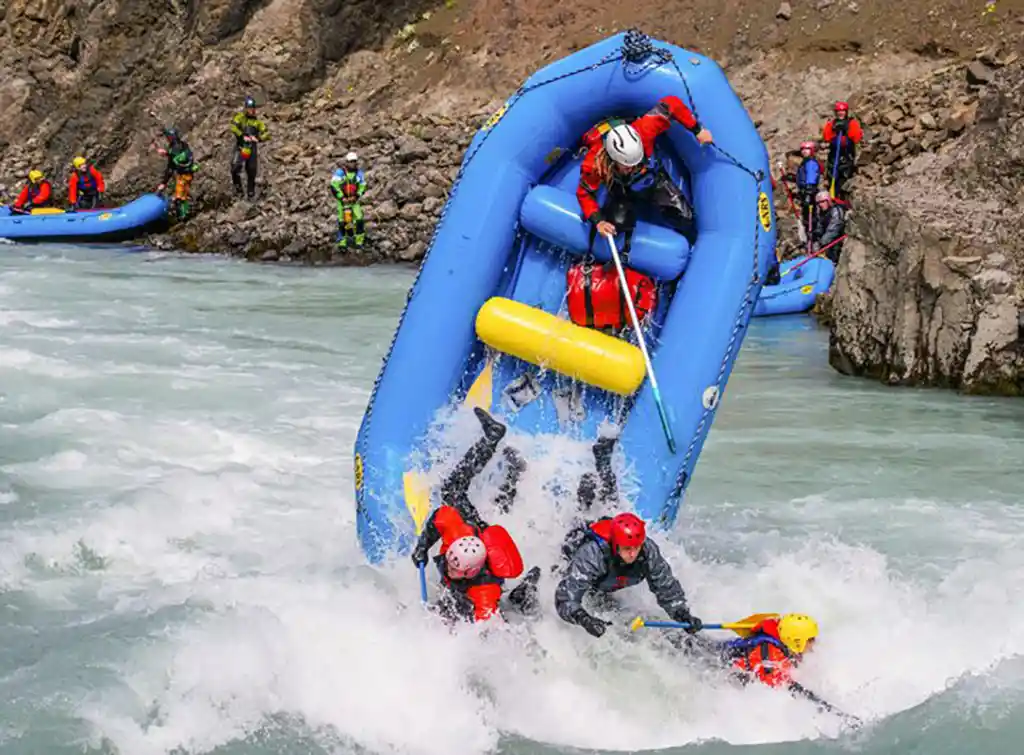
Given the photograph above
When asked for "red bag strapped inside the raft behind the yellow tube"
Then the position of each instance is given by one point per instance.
(595, 302)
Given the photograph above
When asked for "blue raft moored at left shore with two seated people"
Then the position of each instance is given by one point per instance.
(109, 225)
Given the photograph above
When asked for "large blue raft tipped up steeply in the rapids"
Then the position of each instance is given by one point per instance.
(495, 279)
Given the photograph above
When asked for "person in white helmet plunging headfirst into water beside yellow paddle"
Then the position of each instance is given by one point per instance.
(476, 558)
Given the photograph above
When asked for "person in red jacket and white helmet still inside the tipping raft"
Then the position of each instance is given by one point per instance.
(622, 158)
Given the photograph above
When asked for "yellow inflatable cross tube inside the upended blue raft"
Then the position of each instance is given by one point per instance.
(548, 342)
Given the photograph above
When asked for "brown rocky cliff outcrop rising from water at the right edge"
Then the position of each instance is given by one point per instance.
(931, 288)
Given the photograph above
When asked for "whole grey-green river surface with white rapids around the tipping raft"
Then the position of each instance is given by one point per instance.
(180, 571)
